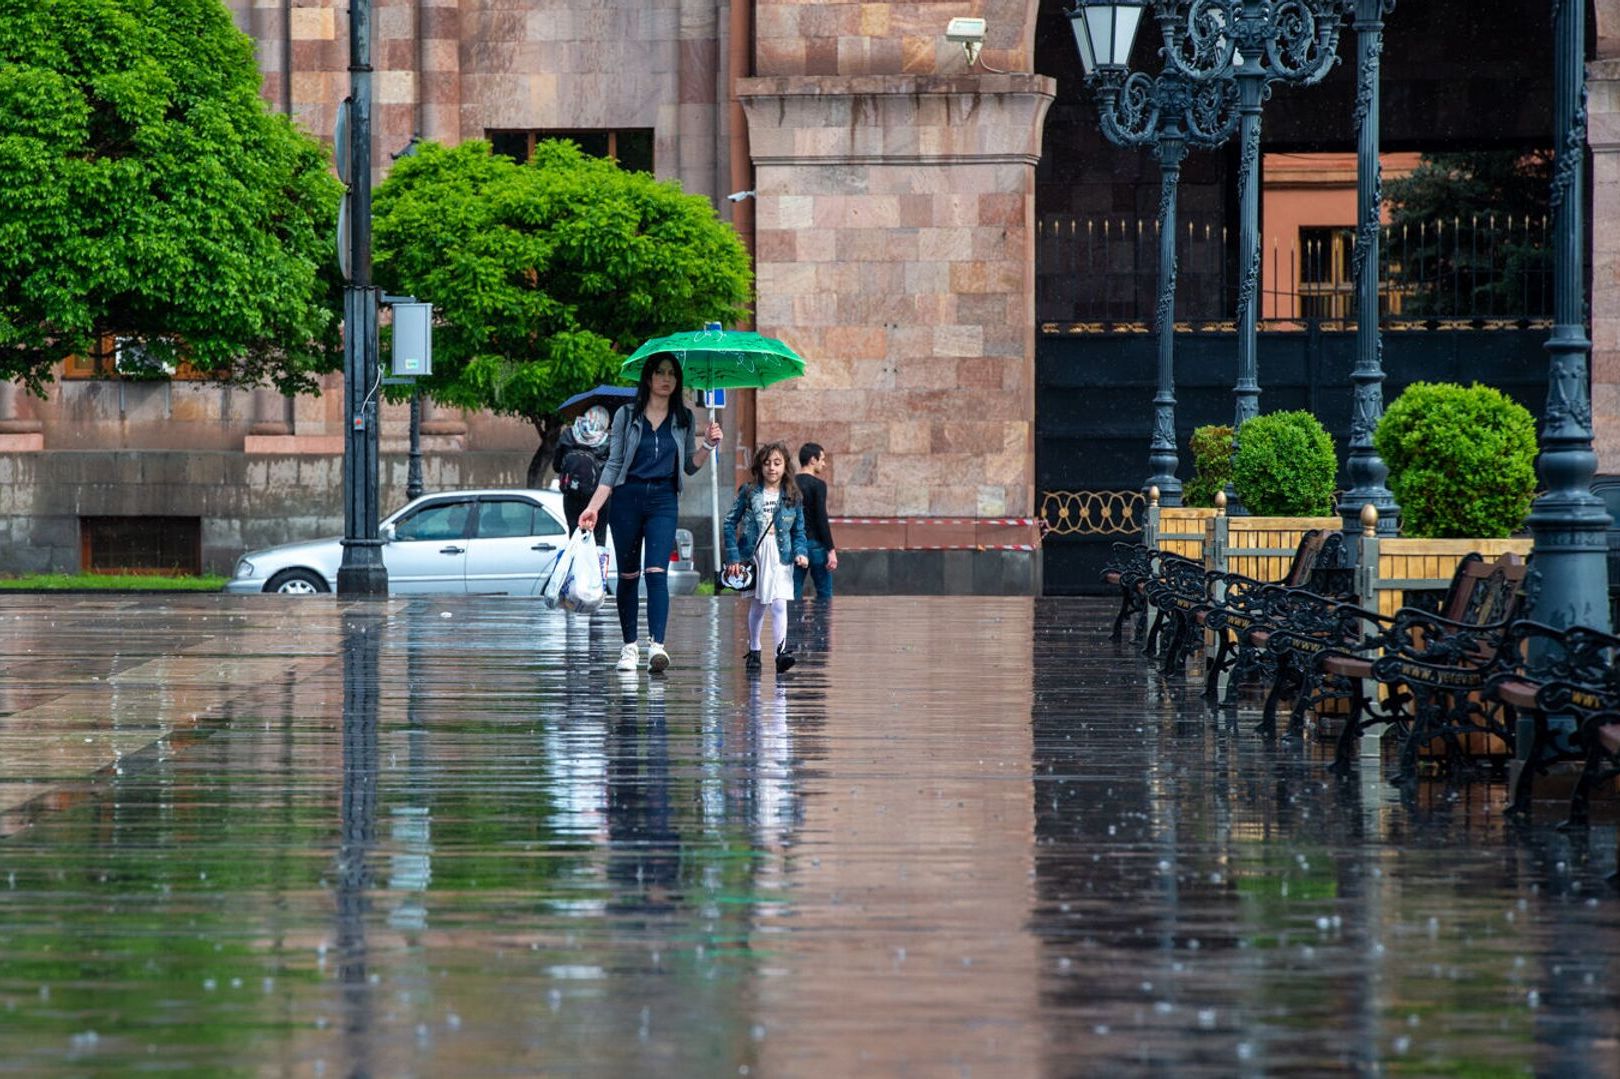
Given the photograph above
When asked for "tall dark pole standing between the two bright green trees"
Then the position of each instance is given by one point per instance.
(362, 571)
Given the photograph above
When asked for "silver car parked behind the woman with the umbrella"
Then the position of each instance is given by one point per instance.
(500, 542)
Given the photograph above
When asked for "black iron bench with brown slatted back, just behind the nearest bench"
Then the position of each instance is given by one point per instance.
(1433, 667)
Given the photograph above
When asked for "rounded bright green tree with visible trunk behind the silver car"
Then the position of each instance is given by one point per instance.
(547, 275)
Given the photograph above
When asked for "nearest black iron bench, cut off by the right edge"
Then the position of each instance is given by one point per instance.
(1562, 689)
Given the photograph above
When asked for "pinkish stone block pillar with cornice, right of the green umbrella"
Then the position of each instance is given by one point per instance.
(895, 244)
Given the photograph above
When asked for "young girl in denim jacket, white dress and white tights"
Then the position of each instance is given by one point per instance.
(767, 526)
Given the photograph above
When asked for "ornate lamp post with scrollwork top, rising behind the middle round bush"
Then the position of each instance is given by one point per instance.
(1255, 43)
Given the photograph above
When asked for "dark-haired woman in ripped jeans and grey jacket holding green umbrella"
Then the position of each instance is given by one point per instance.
(652, 451)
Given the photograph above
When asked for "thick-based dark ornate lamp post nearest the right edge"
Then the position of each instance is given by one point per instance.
(1569, 582)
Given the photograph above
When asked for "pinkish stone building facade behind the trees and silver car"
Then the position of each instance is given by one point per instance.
(893, 226)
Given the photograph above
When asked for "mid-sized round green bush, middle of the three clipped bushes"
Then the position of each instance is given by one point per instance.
(1285, 466)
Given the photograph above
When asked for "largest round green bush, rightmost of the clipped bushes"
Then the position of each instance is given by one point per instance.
(1462, 461)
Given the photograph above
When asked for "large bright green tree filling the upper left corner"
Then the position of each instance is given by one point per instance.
(151, 195)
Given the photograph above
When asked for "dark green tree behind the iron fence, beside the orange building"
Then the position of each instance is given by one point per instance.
(1469, 234)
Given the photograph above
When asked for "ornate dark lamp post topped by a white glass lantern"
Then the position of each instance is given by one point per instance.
(1167, 114)
